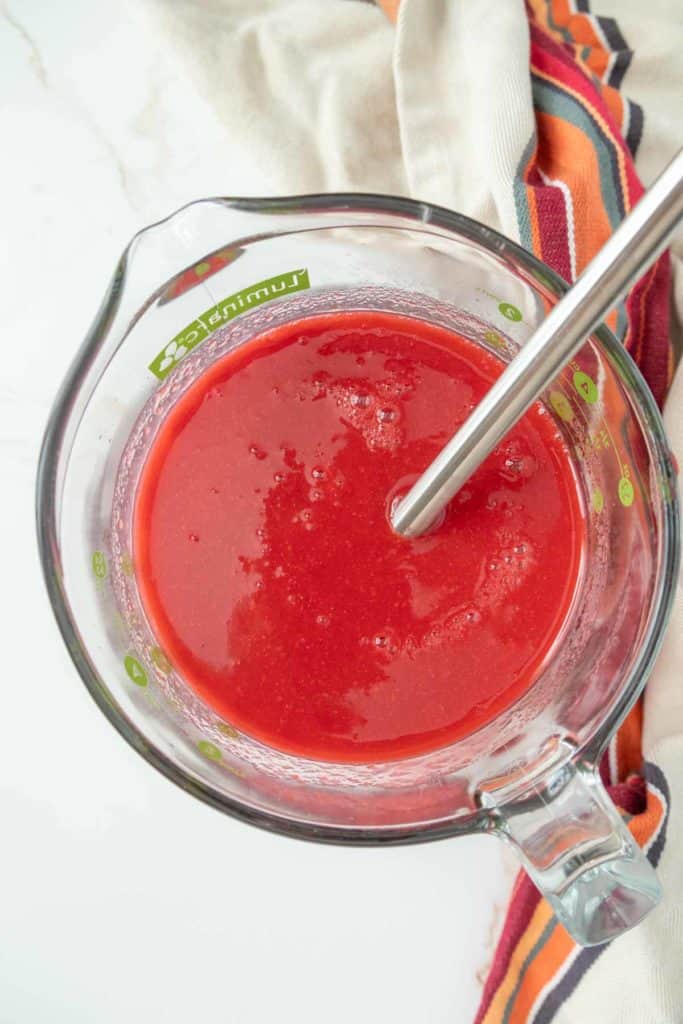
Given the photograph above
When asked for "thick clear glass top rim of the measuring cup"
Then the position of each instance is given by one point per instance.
(48, 501)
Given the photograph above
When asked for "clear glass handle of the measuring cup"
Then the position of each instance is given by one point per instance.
(577, 849)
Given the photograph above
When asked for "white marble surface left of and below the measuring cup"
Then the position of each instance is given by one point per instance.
(122, 899)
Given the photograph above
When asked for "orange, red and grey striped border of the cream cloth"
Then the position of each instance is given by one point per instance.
(575, 184)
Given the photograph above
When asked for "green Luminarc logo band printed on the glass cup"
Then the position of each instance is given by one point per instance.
(227, 310)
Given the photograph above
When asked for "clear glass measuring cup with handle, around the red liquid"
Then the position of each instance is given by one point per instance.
(208, 279)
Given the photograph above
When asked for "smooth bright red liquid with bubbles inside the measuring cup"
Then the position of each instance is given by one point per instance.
(269, 570)
